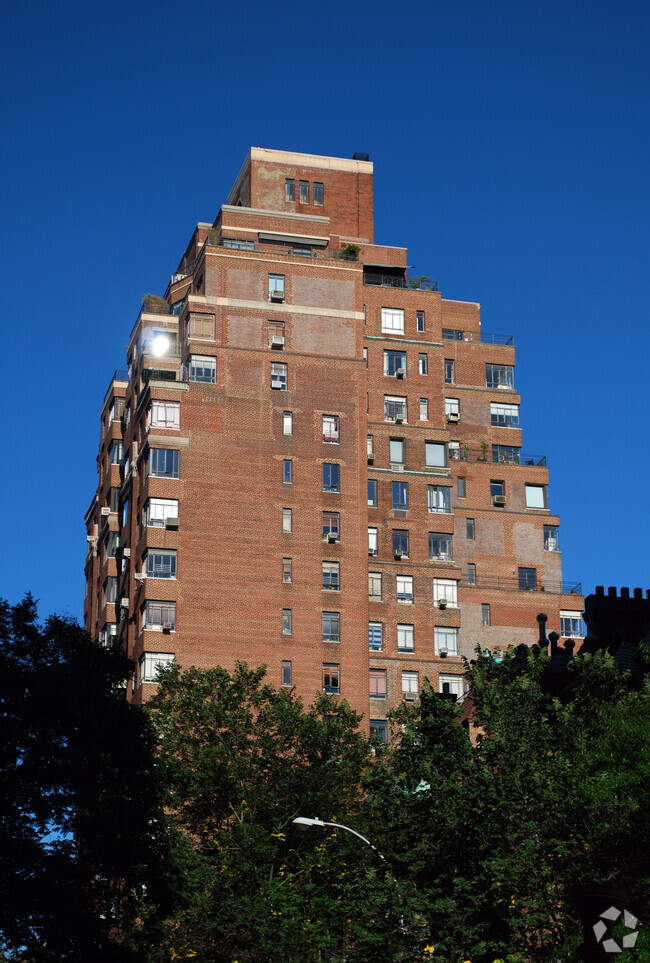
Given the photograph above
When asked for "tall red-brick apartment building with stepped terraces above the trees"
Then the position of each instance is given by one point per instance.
(314, 465)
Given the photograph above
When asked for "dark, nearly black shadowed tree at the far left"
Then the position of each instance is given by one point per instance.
(78, 806)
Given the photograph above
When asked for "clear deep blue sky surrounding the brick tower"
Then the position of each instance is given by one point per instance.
(510, 143)
